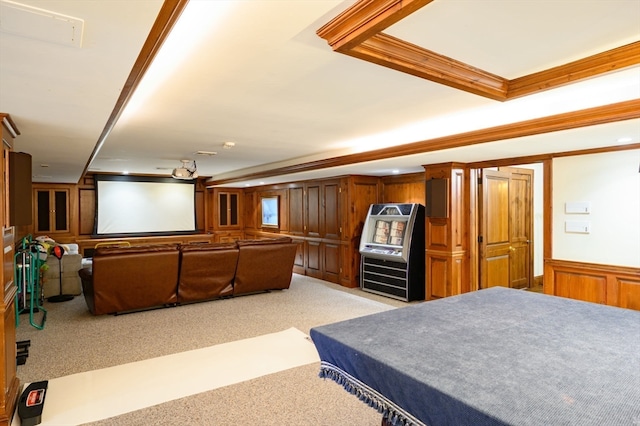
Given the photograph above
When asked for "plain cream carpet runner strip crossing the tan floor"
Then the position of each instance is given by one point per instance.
(100, 394)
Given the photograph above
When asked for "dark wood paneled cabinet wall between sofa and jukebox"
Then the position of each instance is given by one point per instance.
(324, 217)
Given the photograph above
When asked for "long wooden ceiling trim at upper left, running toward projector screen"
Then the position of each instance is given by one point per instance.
(167, 17)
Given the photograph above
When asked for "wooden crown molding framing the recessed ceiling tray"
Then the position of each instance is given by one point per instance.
(357, 32)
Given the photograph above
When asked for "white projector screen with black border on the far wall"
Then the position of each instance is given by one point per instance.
(128, 205)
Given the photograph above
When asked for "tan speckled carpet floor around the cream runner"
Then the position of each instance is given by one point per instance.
(73, 341)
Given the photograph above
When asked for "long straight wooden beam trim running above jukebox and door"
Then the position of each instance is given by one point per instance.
(571, 120)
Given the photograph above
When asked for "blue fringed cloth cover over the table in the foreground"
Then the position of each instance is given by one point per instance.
(491, 357)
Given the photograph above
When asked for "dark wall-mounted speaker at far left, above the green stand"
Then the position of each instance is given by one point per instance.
(20, 196)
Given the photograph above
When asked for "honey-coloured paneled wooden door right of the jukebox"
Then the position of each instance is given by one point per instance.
(506, 228)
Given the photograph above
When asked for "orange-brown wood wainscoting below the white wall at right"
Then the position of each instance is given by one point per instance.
(605, 284)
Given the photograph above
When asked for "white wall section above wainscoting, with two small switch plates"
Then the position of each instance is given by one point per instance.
(610, 183)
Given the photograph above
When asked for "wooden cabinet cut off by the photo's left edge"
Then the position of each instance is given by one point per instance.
(8, 375)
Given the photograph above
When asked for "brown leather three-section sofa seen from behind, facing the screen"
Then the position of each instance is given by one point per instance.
(123, 279)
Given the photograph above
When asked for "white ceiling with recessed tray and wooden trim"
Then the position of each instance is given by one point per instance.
(259, 76)
